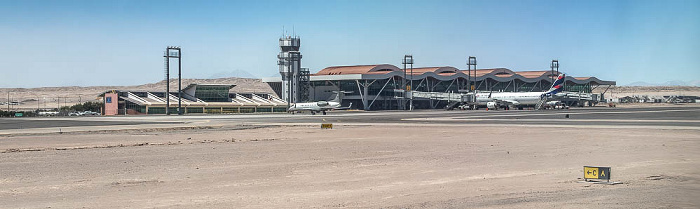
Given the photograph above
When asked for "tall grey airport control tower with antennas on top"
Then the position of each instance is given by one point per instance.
(289, 61)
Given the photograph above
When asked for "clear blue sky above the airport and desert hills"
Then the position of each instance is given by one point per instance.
(92, 42)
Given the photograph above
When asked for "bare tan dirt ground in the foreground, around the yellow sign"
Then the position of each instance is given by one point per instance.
(351, 166)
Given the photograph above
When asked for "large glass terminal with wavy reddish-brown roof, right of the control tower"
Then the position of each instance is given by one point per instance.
(374, 87)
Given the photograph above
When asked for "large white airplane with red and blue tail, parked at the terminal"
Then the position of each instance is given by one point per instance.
(518, 99)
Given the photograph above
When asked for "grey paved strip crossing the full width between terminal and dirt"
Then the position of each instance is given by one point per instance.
(671, 116)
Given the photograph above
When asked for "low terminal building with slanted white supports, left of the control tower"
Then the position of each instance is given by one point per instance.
(196, 98)
